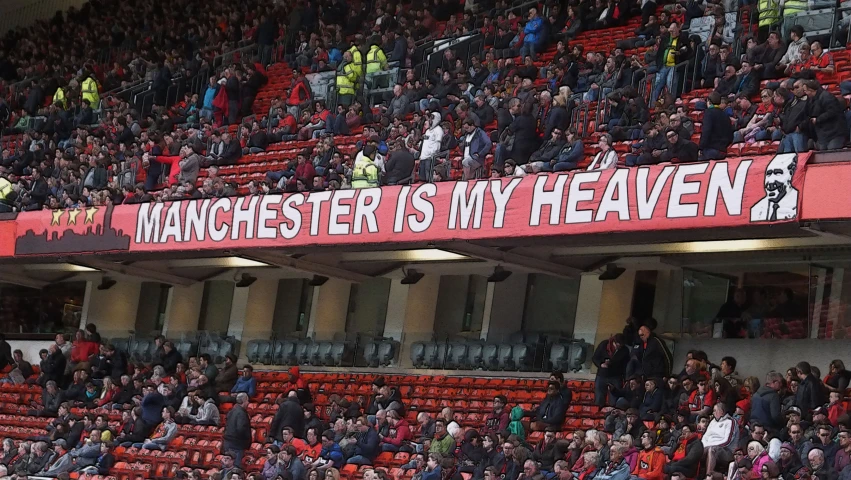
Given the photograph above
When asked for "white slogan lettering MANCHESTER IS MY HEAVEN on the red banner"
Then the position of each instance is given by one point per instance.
(580, 198)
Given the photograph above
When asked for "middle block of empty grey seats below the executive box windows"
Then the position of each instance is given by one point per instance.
(372, 353)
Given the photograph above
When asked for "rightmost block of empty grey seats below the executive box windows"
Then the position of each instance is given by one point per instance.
(565, 356)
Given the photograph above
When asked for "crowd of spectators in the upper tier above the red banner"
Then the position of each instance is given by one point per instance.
(76, 149)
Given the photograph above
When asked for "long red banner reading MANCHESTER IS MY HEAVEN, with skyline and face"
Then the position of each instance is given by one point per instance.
(731, 193)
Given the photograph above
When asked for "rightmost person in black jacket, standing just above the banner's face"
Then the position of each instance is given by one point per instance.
(827, 115)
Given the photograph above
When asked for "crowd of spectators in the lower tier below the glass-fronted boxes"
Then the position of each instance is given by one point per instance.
(704, 421)
